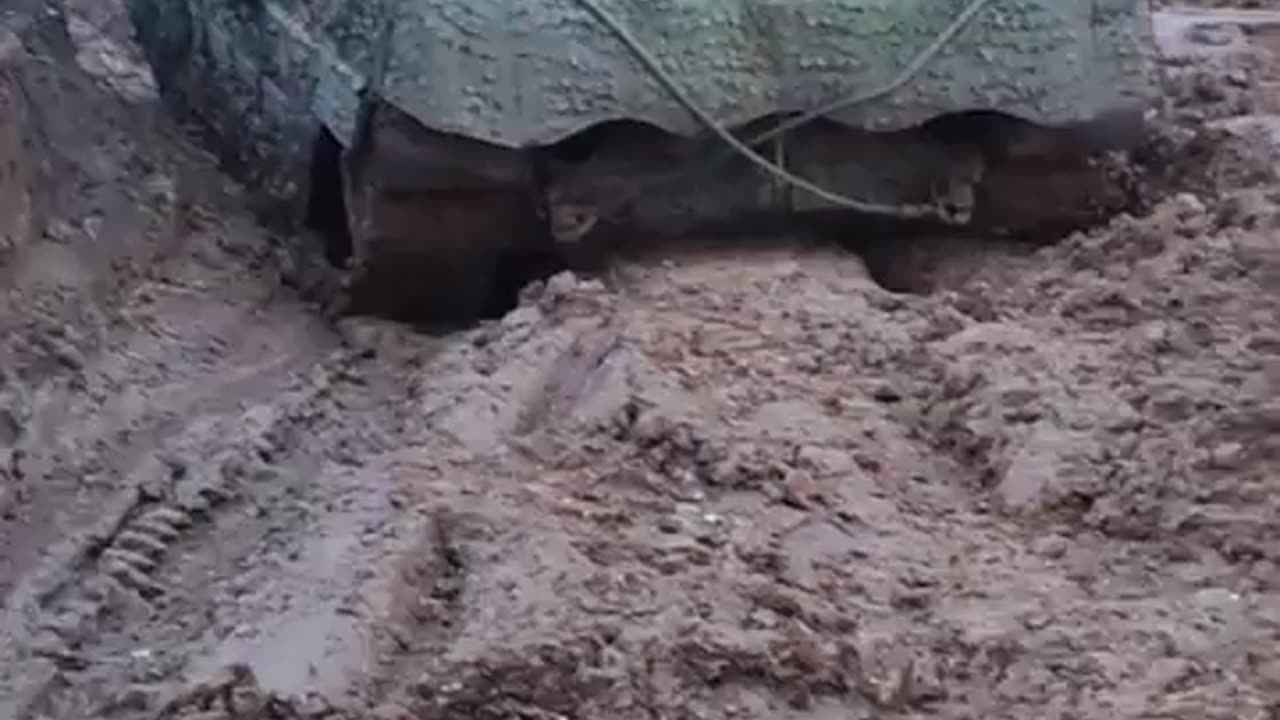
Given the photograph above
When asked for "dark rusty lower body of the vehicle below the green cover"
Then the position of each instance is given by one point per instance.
(447, 229)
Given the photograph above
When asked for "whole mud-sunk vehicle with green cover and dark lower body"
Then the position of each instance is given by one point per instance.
(436, 145)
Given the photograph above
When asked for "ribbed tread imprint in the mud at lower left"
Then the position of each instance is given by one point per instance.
(172, 504)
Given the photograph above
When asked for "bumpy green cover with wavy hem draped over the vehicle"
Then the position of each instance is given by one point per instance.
(529, 72)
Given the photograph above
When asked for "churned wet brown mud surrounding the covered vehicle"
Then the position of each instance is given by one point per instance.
(732, 484)
